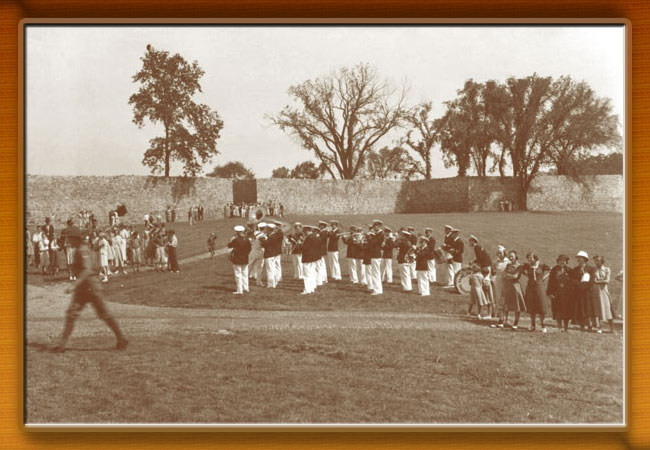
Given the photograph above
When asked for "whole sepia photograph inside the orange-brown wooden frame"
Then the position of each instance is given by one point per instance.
(324, 224)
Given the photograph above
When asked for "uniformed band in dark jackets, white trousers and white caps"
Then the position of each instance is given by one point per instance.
(314, 252)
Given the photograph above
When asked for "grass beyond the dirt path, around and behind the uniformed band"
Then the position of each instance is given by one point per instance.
(209, 283)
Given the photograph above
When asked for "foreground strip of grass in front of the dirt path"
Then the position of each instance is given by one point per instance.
(383, 375)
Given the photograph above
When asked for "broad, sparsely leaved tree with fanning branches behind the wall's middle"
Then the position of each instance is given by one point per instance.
(342, 116)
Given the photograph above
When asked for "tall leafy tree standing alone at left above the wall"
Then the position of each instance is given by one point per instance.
(167, 85)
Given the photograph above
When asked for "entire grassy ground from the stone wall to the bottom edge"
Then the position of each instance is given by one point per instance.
(184, 370)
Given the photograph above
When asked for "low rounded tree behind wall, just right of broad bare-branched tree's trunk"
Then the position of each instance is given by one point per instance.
(392, 164)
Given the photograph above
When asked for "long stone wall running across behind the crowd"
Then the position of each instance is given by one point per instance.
(62, 197)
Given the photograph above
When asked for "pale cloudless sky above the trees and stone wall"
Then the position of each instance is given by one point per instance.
(78, 81)
